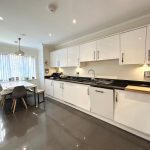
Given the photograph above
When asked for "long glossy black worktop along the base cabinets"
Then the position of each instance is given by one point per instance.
(102, 82)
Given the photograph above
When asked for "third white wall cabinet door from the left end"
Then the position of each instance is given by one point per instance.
(73, 56)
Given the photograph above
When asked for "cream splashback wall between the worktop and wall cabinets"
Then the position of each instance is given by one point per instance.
(109, 69)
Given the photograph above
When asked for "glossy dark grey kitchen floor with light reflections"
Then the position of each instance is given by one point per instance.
(59, 127)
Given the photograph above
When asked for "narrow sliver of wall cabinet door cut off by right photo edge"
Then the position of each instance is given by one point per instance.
(148, 46)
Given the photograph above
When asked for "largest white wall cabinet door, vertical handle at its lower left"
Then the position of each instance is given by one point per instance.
(133, 47)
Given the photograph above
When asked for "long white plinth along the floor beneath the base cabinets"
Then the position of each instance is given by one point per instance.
(128, 129)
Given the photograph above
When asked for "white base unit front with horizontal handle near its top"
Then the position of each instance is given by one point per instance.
(102, 102)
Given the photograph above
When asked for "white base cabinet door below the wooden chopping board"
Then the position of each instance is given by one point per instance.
(132, 109)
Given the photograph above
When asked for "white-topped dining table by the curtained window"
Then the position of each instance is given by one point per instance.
(7, 87)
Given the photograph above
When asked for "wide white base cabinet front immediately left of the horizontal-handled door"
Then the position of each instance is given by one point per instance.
(76, 94)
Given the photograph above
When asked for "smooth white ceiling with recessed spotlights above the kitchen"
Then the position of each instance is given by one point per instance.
(31, 17)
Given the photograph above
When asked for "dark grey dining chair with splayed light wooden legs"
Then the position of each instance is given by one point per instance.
(19, 93)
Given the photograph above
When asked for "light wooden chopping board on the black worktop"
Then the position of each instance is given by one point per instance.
(139, 89)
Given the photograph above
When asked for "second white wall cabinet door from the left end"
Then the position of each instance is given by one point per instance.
(63, 57)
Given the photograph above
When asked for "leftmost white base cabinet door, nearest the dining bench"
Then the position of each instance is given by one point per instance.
(49, 87)
